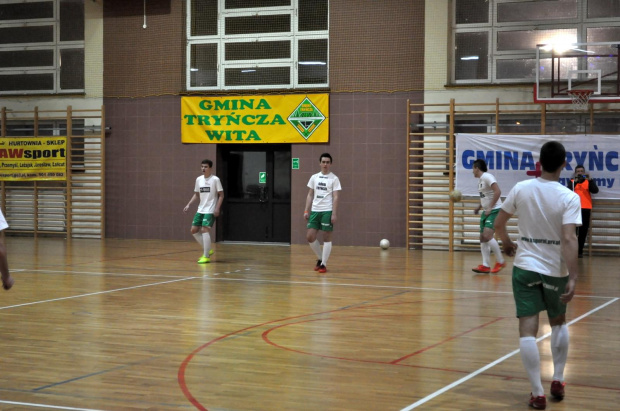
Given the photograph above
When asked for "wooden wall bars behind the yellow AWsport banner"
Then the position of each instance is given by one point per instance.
(74, 207)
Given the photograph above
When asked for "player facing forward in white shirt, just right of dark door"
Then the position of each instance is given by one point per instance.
(321, 210)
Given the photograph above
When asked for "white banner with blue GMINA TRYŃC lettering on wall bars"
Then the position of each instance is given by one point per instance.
(513, 158)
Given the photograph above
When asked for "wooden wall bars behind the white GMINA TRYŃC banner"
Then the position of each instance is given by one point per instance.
(433, 221)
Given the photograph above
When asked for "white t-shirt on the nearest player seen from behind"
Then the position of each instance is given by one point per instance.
(543, 207)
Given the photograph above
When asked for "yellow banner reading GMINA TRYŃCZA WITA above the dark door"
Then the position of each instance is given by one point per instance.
(294, 118)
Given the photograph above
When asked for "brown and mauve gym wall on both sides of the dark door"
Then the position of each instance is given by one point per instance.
(376, 64)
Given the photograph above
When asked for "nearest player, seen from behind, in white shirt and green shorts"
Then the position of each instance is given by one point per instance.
(545, 267)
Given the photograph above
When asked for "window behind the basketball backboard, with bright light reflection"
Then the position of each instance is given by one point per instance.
(494, 41)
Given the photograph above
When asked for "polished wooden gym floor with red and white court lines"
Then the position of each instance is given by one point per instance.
(135, 325)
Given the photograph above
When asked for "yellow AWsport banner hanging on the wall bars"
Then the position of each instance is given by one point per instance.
(28, 158)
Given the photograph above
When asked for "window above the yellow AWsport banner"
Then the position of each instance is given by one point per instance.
(41, 46)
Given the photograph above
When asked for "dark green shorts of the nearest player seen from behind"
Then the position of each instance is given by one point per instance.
(535, 292)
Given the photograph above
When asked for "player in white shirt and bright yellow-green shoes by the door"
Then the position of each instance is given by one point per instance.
(208, 190)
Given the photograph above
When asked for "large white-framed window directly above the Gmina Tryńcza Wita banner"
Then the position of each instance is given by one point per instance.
(257, 44)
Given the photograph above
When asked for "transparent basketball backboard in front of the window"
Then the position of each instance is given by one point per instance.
(577, 66)
